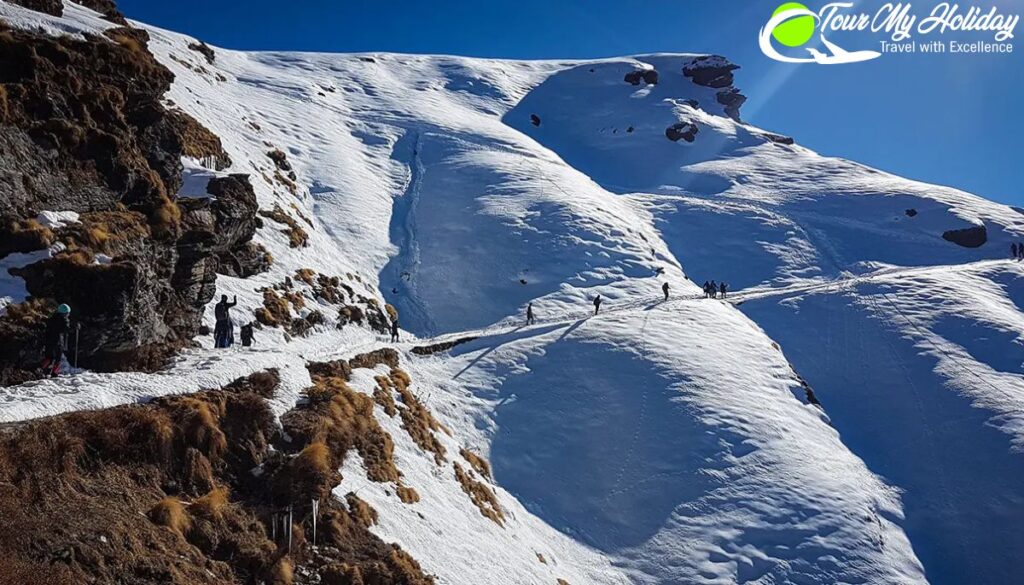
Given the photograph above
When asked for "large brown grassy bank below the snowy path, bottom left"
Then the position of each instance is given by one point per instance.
(97, 498)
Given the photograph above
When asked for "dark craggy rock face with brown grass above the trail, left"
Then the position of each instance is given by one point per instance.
(82, 129)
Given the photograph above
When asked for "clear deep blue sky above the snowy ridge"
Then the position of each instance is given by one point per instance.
(955, 120)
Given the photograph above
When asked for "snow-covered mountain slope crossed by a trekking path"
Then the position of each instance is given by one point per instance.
(658, 442)
